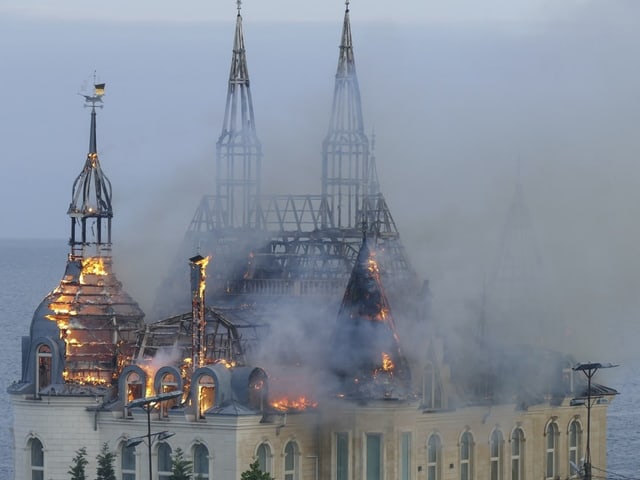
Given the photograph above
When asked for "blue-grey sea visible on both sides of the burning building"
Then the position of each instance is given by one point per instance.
(29, 269)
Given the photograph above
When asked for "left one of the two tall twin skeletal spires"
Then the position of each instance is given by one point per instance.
(238, 150)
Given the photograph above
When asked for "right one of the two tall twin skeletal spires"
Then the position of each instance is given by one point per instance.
(345, 149)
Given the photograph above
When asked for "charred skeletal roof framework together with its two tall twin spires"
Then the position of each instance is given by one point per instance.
(291, 246)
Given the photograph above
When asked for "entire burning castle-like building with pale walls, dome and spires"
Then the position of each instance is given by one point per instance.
(207, 377)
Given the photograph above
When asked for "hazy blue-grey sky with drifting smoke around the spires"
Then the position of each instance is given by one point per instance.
(458, 93)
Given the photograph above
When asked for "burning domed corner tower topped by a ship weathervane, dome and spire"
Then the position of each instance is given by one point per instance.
(85, 329)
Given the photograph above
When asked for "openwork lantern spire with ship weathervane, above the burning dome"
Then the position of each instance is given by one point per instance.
(90, 209)
